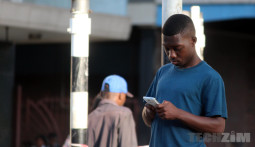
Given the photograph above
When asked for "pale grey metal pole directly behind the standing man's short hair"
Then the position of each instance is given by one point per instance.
(169, 7)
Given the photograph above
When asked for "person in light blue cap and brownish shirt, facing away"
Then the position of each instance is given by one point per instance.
(111, 124)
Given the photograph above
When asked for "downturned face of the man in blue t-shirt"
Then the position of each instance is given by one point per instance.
(180, 49)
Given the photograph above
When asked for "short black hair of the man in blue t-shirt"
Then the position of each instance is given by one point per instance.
(176, 24)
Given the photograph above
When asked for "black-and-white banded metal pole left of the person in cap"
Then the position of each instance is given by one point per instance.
(80, 27)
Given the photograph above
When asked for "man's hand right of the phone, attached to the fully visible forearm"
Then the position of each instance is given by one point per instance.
(167, 110)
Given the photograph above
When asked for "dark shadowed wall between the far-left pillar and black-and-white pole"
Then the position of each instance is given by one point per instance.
(43, 73)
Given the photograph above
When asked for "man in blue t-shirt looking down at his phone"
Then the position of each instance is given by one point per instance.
(190, 92)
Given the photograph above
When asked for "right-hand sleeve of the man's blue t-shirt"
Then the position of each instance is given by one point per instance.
(214, 98)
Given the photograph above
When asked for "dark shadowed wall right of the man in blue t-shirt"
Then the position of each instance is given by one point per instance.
(230, 50)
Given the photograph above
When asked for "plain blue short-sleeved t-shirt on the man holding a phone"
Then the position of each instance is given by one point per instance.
(198, 90)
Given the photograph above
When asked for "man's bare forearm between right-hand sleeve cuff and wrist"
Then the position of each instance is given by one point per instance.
(201, 123)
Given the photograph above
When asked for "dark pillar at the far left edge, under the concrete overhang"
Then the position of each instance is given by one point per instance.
(7, 76)
